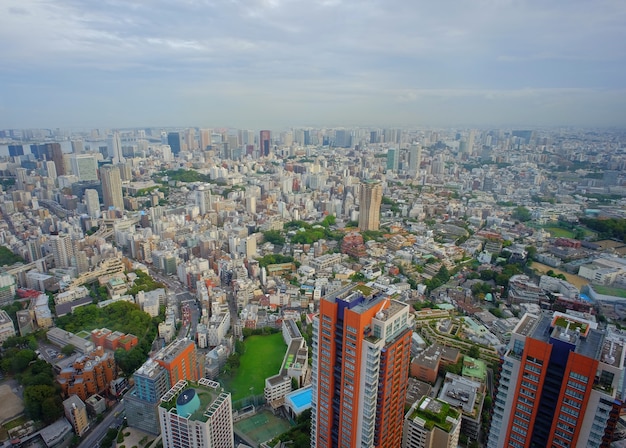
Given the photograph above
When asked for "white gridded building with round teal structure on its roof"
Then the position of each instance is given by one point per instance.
(196, 415)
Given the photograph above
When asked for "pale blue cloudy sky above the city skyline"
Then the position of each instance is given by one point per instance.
(282, 63)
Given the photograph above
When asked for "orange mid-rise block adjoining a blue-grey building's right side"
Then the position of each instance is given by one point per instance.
(179, 359)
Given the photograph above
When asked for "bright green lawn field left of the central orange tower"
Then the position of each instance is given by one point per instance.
(263, 358)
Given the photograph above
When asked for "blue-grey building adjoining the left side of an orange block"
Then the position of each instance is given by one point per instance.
(142, 401)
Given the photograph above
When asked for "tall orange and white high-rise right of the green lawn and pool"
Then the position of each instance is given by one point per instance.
(360, 365)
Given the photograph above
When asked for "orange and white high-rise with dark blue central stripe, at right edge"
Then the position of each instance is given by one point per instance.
(560, 385)
